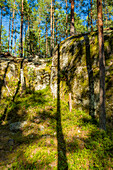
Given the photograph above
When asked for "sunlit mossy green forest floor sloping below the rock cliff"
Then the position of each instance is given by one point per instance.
(38, 133)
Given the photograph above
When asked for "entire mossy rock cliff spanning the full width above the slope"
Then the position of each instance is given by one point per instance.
(79, 72)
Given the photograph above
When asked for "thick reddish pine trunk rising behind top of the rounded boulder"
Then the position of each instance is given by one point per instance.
(72, 29)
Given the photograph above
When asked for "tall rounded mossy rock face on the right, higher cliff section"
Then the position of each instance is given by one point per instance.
(79, 70)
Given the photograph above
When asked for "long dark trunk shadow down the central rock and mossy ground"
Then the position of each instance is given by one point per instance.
(61, 145)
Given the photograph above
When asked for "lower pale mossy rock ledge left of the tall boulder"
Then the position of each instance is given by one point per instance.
(36, 73)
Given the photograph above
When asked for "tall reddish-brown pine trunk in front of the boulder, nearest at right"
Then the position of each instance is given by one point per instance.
(102, 113)
